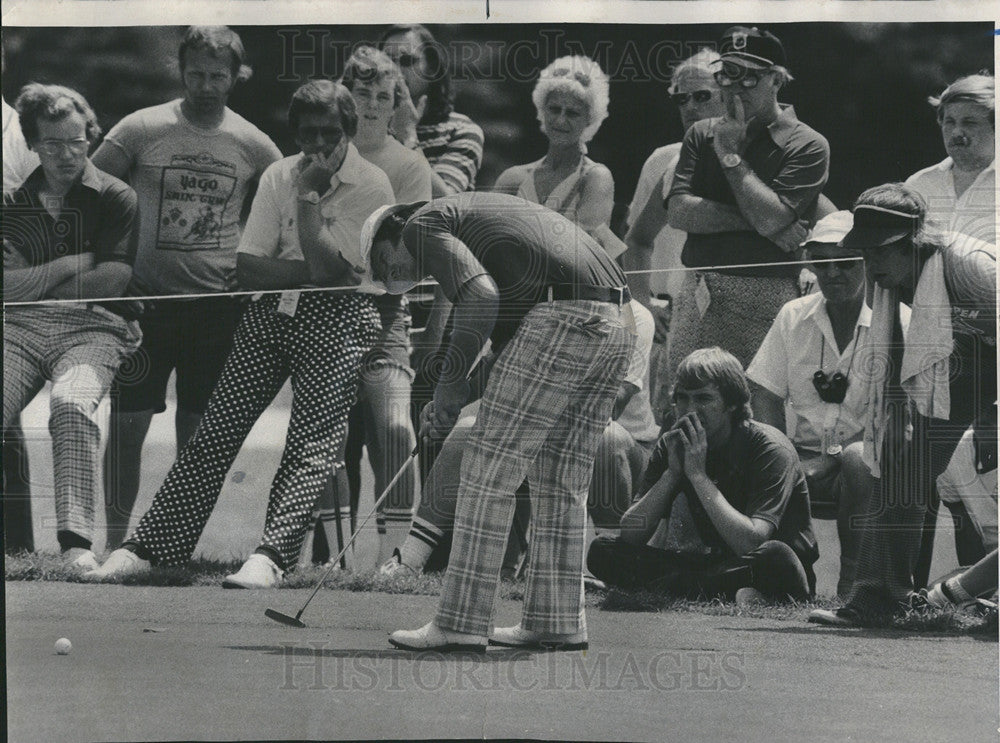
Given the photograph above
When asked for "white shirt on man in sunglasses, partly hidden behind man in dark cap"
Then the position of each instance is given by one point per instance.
(656, 177)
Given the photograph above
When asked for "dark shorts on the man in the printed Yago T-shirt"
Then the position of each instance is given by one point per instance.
(193, 336)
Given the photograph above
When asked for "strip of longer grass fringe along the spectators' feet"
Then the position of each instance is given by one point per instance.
(37, 566)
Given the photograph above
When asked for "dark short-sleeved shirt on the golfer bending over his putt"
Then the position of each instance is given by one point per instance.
(524, 247)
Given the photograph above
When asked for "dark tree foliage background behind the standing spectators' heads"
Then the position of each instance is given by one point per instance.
(864, 86)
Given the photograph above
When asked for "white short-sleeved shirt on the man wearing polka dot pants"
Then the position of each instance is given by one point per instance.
(357, 189)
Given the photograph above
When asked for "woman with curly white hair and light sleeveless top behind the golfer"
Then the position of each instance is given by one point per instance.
(571, 96)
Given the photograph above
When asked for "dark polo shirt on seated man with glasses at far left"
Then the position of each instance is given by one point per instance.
(99, 216)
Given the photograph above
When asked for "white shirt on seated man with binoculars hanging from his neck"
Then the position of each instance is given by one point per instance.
(789, 356)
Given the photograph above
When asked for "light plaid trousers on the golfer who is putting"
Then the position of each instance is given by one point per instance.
(548, 399)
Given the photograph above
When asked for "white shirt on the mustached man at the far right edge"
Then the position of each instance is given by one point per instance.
(973, 213)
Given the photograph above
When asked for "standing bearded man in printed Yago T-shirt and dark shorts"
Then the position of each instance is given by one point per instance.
(193, 162)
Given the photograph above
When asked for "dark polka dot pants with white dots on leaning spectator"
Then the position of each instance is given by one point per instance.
(321, 348)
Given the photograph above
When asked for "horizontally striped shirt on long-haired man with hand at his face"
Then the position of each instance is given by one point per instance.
(454, 148)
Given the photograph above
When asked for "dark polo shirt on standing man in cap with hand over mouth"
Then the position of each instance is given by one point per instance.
(789, 157)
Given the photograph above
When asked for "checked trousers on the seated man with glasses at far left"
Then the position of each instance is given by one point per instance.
(79, 349)
